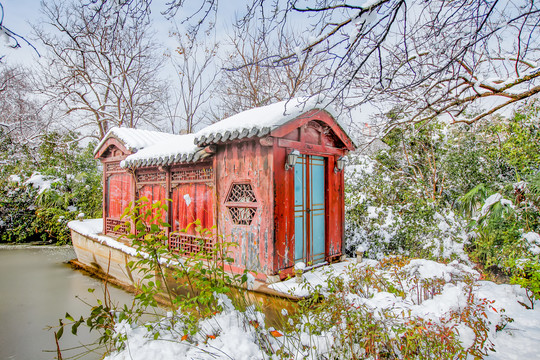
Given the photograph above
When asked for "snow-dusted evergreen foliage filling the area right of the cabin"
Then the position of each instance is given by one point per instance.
(438, 188)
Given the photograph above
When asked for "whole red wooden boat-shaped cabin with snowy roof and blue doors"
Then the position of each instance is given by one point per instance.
(271, 178)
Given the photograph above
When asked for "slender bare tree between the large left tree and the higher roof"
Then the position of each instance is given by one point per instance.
(194, 64)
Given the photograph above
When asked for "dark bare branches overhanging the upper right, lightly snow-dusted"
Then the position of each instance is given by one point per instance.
(461, 59)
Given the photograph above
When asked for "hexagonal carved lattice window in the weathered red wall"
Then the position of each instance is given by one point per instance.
(242, 204)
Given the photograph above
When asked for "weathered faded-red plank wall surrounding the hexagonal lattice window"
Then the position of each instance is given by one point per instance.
(247, 163)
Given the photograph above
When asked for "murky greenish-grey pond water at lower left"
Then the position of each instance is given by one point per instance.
(37, 287)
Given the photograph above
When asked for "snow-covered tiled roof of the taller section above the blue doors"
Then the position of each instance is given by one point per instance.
(257, 122)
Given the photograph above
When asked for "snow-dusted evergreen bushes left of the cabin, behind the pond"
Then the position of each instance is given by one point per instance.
(44, 186)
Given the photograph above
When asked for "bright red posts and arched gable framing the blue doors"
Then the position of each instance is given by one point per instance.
(311, 138)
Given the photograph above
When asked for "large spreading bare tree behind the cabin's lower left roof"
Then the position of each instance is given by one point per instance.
(105, 73)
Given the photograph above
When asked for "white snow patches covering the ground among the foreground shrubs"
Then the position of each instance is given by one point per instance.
(232, 334)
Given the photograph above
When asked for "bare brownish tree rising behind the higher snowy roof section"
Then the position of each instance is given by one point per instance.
(246, 82)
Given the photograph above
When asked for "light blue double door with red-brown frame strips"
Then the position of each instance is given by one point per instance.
(309, 209)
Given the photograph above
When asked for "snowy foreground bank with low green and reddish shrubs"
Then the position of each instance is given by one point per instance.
(395, 308)
